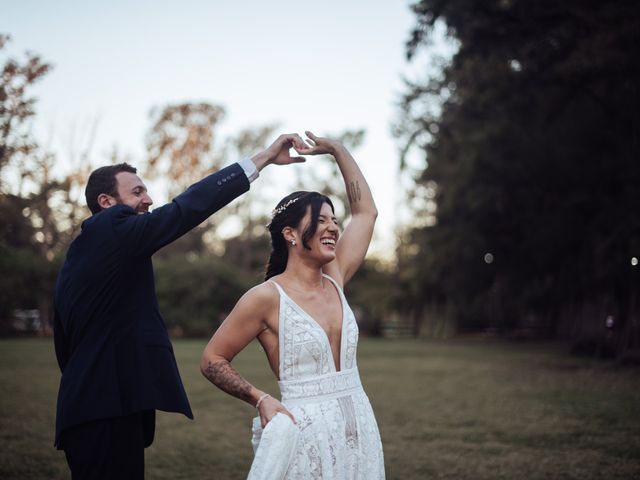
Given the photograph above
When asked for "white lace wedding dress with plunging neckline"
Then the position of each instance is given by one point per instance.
(336, 436)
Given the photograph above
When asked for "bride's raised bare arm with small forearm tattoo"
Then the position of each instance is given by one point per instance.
(353, 243)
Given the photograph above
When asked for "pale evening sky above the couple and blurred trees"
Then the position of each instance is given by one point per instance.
(323, 66)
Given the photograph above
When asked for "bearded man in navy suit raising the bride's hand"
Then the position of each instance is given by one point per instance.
(111, 343)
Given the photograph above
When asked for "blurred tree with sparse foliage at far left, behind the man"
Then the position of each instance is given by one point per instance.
(39, 212)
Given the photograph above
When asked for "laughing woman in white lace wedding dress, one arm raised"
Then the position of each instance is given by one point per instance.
(324, 427)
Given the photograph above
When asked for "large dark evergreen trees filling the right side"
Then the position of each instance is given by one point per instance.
(530, 139)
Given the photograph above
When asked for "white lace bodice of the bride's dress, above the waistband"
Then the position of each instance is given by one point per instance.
(305, 351)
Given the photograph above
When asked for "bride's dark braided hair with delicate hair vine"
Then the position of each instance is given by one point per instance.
(289, 213)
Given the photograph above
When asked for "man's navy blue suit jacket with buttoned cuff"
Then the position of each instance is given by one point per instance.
(111, 342)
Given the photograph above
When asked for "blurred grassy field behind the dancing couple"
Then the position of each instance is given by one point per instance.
(446, 410)
